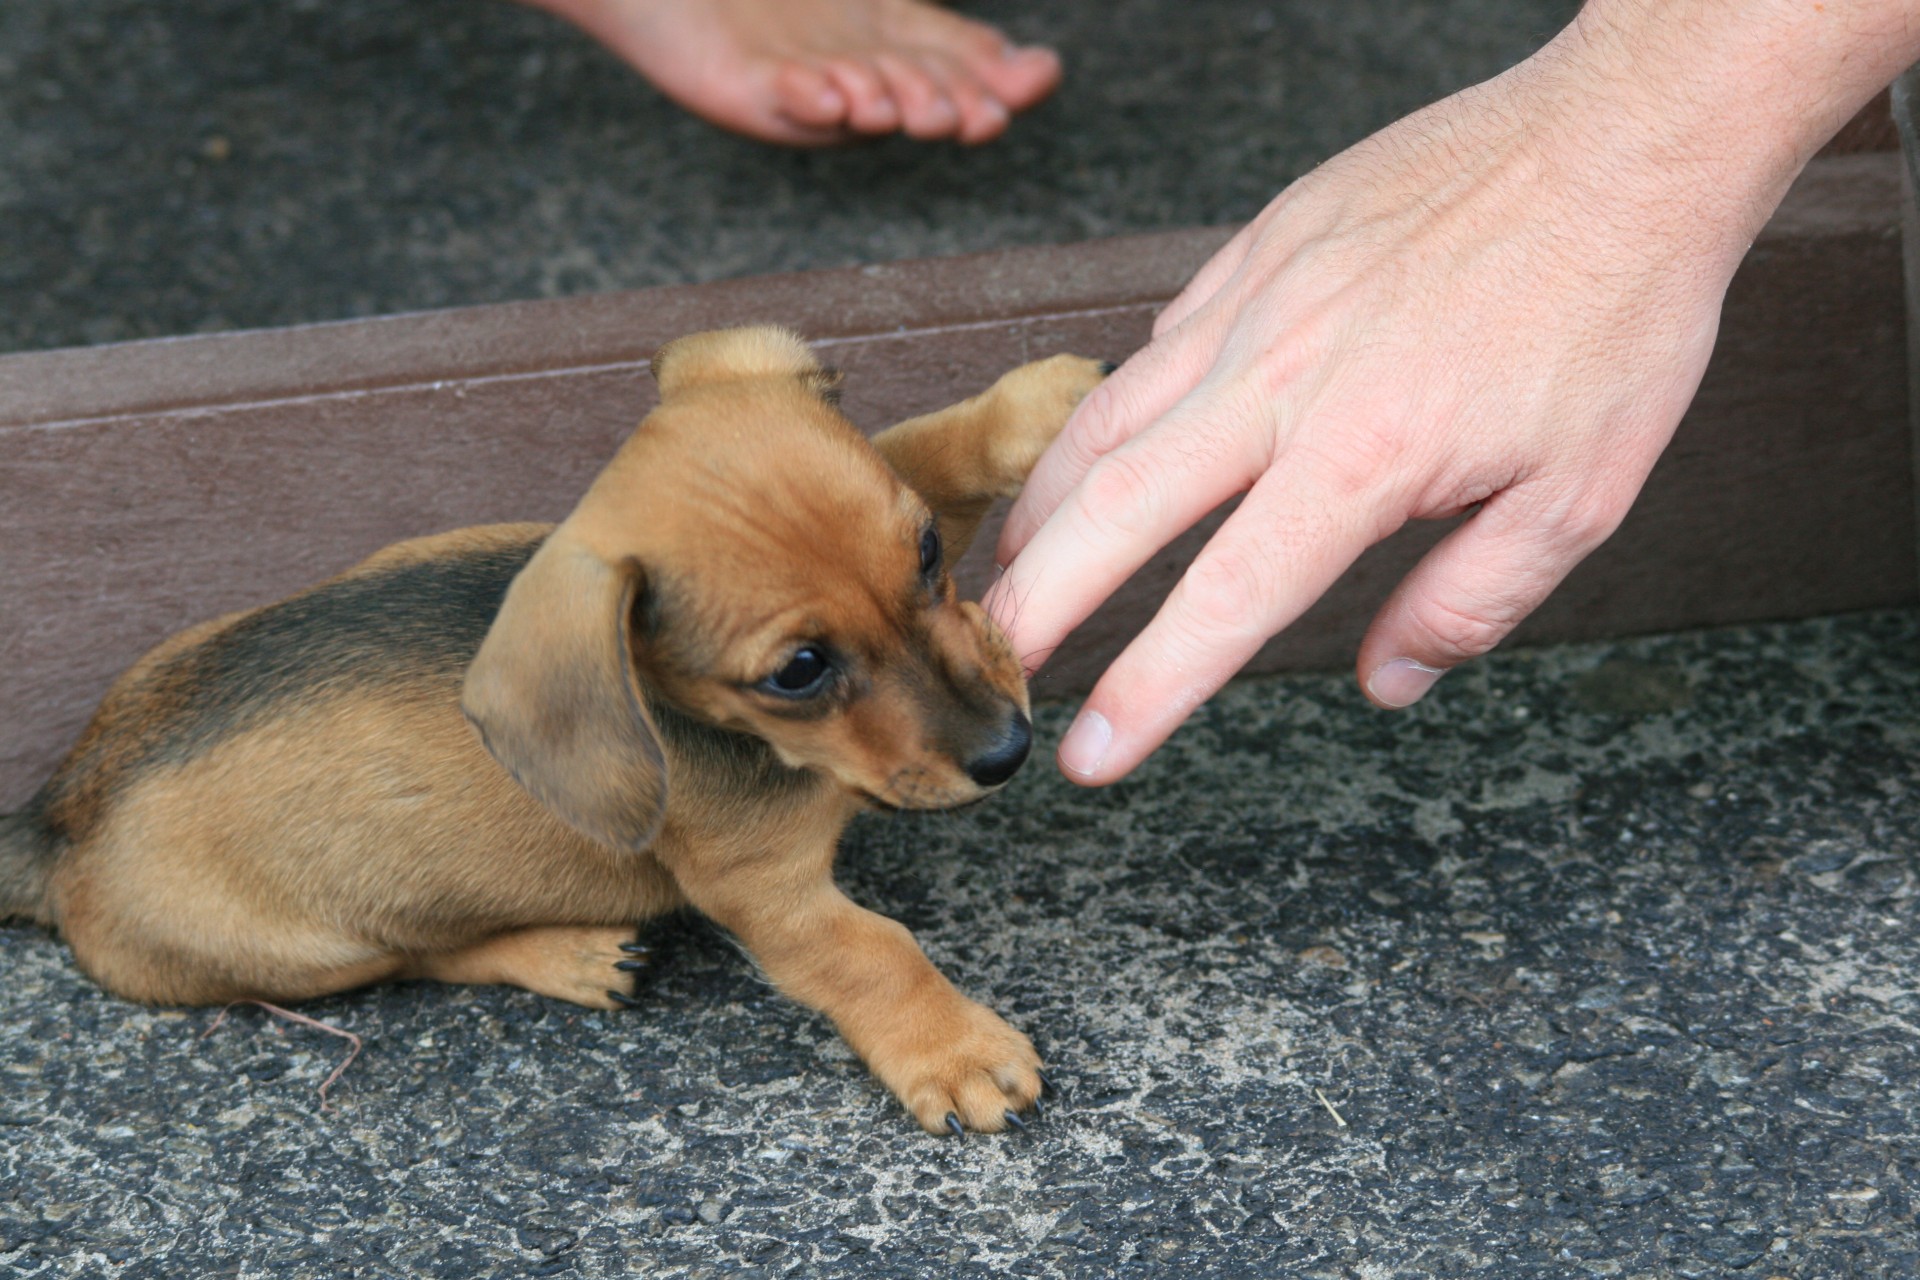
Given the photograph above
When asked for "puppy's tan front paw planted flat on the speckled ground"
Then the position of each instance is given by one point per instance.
(963, 1070)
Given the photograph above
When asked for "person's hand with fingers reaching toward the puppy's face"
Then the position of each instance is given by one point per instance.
(1500, 306)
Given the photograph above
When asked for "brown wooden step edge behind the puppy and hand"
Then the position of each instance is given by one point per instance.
(153, 485)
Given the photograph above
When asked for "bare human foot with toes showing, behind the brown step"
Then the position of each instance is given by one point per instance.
(819, 72)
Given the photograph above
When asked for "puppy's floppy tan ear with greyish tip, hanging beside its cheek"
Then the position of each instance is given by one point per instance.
(556, 698)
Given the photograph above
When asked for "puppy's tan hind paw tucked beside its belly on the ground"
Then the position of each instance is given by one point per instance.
(581, 964)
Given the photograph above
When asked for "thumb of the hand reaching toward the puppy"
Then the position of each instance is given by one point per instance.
(1474, 588)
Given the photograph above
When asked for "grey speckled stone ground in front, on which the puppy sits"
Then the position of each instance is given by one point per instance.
(1604, 962)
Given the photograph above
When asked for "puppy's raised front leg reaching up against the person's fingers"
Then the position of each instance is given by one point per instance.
(965, 458)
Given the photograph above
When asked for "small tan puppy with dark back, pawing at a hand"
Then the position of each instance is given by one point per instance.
(740, 638)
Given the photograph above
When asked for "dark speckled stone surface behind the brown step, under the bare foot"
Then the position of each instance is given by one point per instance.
(216, 164)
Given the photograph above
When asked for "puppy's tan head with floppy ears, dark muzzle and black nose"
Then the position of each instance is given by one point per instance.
(750, 559)
